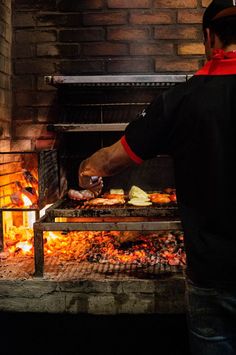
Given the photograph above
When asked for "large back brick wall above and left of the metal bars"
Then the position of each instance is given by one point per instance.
(95, 37)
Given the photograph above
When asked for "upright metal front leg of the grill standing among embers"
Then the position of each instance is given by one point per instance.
(38, 252)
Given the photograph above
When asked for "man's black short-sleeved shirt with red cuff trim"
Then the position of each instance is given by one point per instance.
(195, 123)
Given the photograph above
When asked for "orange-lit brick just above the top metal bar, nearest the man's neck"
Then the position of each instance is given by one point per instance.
(176, 65)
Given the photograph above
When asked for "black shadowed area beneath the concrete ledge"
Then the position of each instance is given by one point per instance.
(57, 334)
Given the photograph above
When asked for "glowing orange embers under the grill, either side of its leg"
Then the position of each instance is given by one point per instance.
(104, 247)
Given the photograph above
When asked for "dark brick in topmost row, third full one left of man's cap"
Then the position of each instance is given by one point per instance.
(78, 5)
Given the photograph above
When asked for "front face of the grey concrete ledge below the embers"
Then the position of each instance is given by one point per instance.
(94, 297)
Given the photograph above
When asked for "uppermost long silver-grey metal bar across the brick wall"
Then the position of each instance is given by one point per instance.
(115, 79)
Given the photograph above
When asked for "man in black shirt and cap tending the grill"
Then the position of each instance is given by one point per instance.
(195, 123)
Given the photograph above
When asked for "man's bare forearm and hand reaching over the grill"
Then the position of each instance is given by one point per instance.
(105, 162)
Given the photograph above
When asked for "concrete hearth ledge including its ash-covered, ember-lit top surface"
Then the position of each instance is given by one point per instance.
(82, 287)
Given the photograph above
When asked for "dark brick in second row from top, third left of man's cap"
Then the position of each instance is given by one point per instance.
(105, 18)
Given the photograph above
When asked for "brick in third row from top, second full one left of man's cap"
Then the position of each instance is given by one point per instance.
(127, 34)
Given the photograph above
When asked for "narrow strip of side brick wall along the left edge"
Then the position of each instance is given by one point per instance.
(5, 74)
